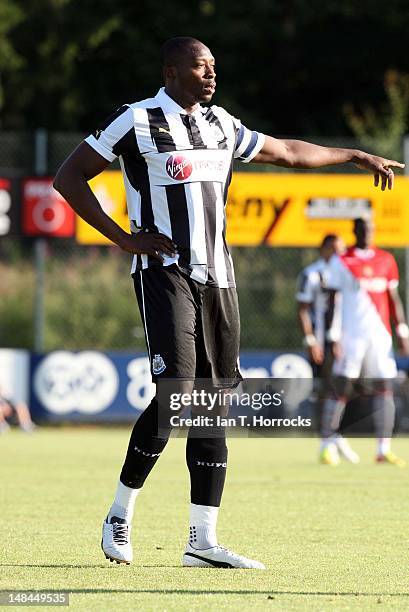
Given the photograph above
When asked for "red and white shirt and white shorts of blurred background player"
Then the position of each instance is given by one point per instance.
(363, 277)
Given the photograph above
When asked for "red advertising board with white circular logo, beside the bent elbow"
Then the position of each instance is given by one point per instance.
(45, 212)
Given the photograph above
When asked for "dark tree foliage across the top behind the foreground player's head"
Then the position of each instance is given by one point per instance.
(283, 67)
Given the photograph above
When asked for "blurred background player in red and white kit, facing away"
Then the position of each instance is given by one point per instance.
(367, 279)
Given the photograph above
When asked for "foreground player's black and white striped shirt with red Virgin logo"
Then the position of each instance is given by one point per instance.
(177, 169)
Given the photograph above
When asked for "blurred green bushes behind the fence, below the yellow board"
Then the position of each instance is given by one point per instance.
(89, 299)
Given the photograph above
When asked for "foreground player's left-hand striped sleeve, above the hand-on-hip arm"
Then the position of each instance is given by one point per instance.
(110, 132)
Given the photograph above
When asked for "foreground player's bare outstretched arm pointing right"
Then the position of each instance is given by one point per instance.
(300, 154)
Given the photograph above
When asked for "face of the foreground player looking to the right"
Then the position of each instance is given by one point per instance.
(195, 75)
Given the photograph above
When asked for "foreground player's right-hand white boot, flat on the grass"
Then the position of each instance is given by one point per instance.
(217, 556)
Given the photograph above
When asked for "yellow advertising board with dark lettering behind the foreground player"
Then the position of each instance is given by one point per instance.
(285, 209)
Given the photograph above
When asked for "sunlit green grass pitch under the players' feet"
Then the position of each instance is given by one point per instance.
(331, 538)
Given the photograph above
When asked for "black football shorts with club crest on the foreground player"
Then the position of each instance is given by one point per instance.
(192, 330)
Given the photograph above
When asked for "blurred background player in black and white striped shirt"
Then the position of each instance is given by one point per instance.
(320, 320)
